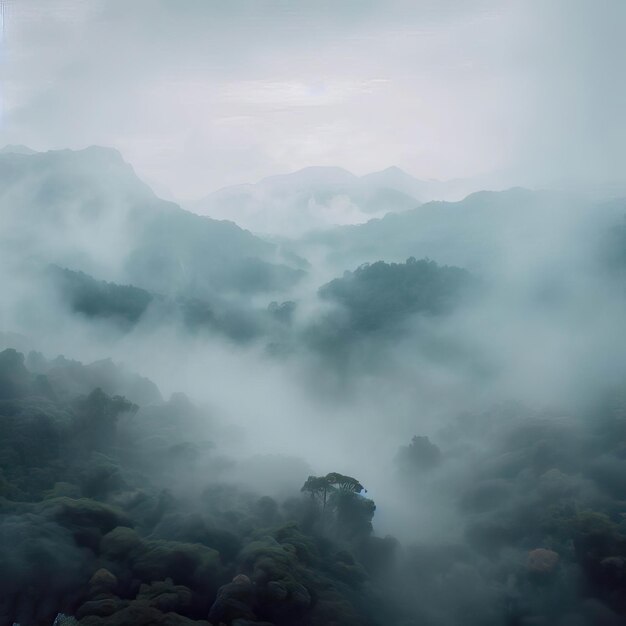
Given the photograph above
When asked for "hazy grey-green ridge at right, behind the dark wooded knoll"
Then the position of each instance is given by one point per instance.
(480, 232)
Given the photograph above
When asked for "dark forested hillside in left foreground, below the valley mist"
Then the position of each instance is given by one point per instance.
(116, 514)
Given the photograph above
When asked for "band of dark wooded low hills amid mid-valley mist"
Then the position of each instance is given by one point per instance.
(370, 302)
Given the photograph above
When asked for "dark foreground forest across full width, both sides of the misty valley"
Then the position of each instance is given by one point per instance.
(116, 513)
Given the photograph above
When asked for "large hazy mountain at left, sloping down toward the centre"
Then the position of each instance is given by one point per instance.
(88, 210)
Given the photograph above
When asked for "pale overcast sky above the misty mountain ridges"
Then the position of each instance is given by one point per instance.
(200, 94)
